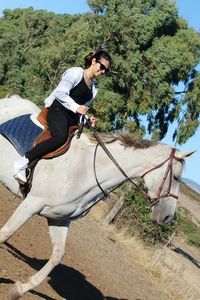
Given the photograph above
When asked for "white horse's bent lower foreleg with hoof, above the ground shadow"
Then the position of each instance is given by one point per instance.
(58, 233)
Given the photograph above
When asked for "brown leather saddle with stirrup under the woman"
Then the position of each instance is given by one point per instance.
(44, 135)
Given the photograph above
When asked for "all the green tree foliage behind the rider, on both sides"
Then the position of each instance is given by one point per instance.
(152, 48)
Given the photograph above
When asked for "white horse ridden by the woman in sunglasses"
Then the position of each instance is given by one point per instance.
(65, 187)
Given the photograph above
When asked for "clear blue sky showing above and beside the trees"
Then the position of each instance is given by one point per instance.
(188, 9)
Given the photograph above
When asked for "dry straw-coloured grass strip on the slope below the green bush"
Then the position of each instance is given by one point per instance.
(173, 274)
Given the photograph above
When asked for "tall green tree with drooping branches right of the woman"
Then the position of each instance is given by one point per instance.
(154, 51)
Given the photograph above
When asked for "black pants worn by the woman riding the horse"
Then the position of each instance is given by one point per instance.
(59, 119)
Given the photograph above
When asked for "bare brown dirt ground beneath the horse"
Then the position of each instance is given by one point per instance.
(96, 266)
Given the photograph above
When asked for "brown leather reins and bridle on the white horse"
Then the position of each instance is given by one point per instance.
(152, 200)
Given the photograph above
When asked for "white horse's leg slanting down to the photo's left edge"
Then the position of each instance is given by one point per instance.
(24, 211)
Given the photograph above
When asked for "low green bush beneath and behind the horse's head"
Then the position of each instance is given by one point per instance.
(135, 216)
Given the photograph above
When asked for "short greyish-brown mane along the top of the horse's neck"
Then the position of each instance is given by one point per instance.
(125, 138)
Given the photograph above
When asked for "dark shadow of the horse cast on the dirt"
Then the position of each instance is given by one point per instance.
(67, 282)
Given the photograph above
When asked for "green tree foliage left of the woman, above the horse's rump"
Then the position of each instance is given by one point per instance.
(33, 54)
